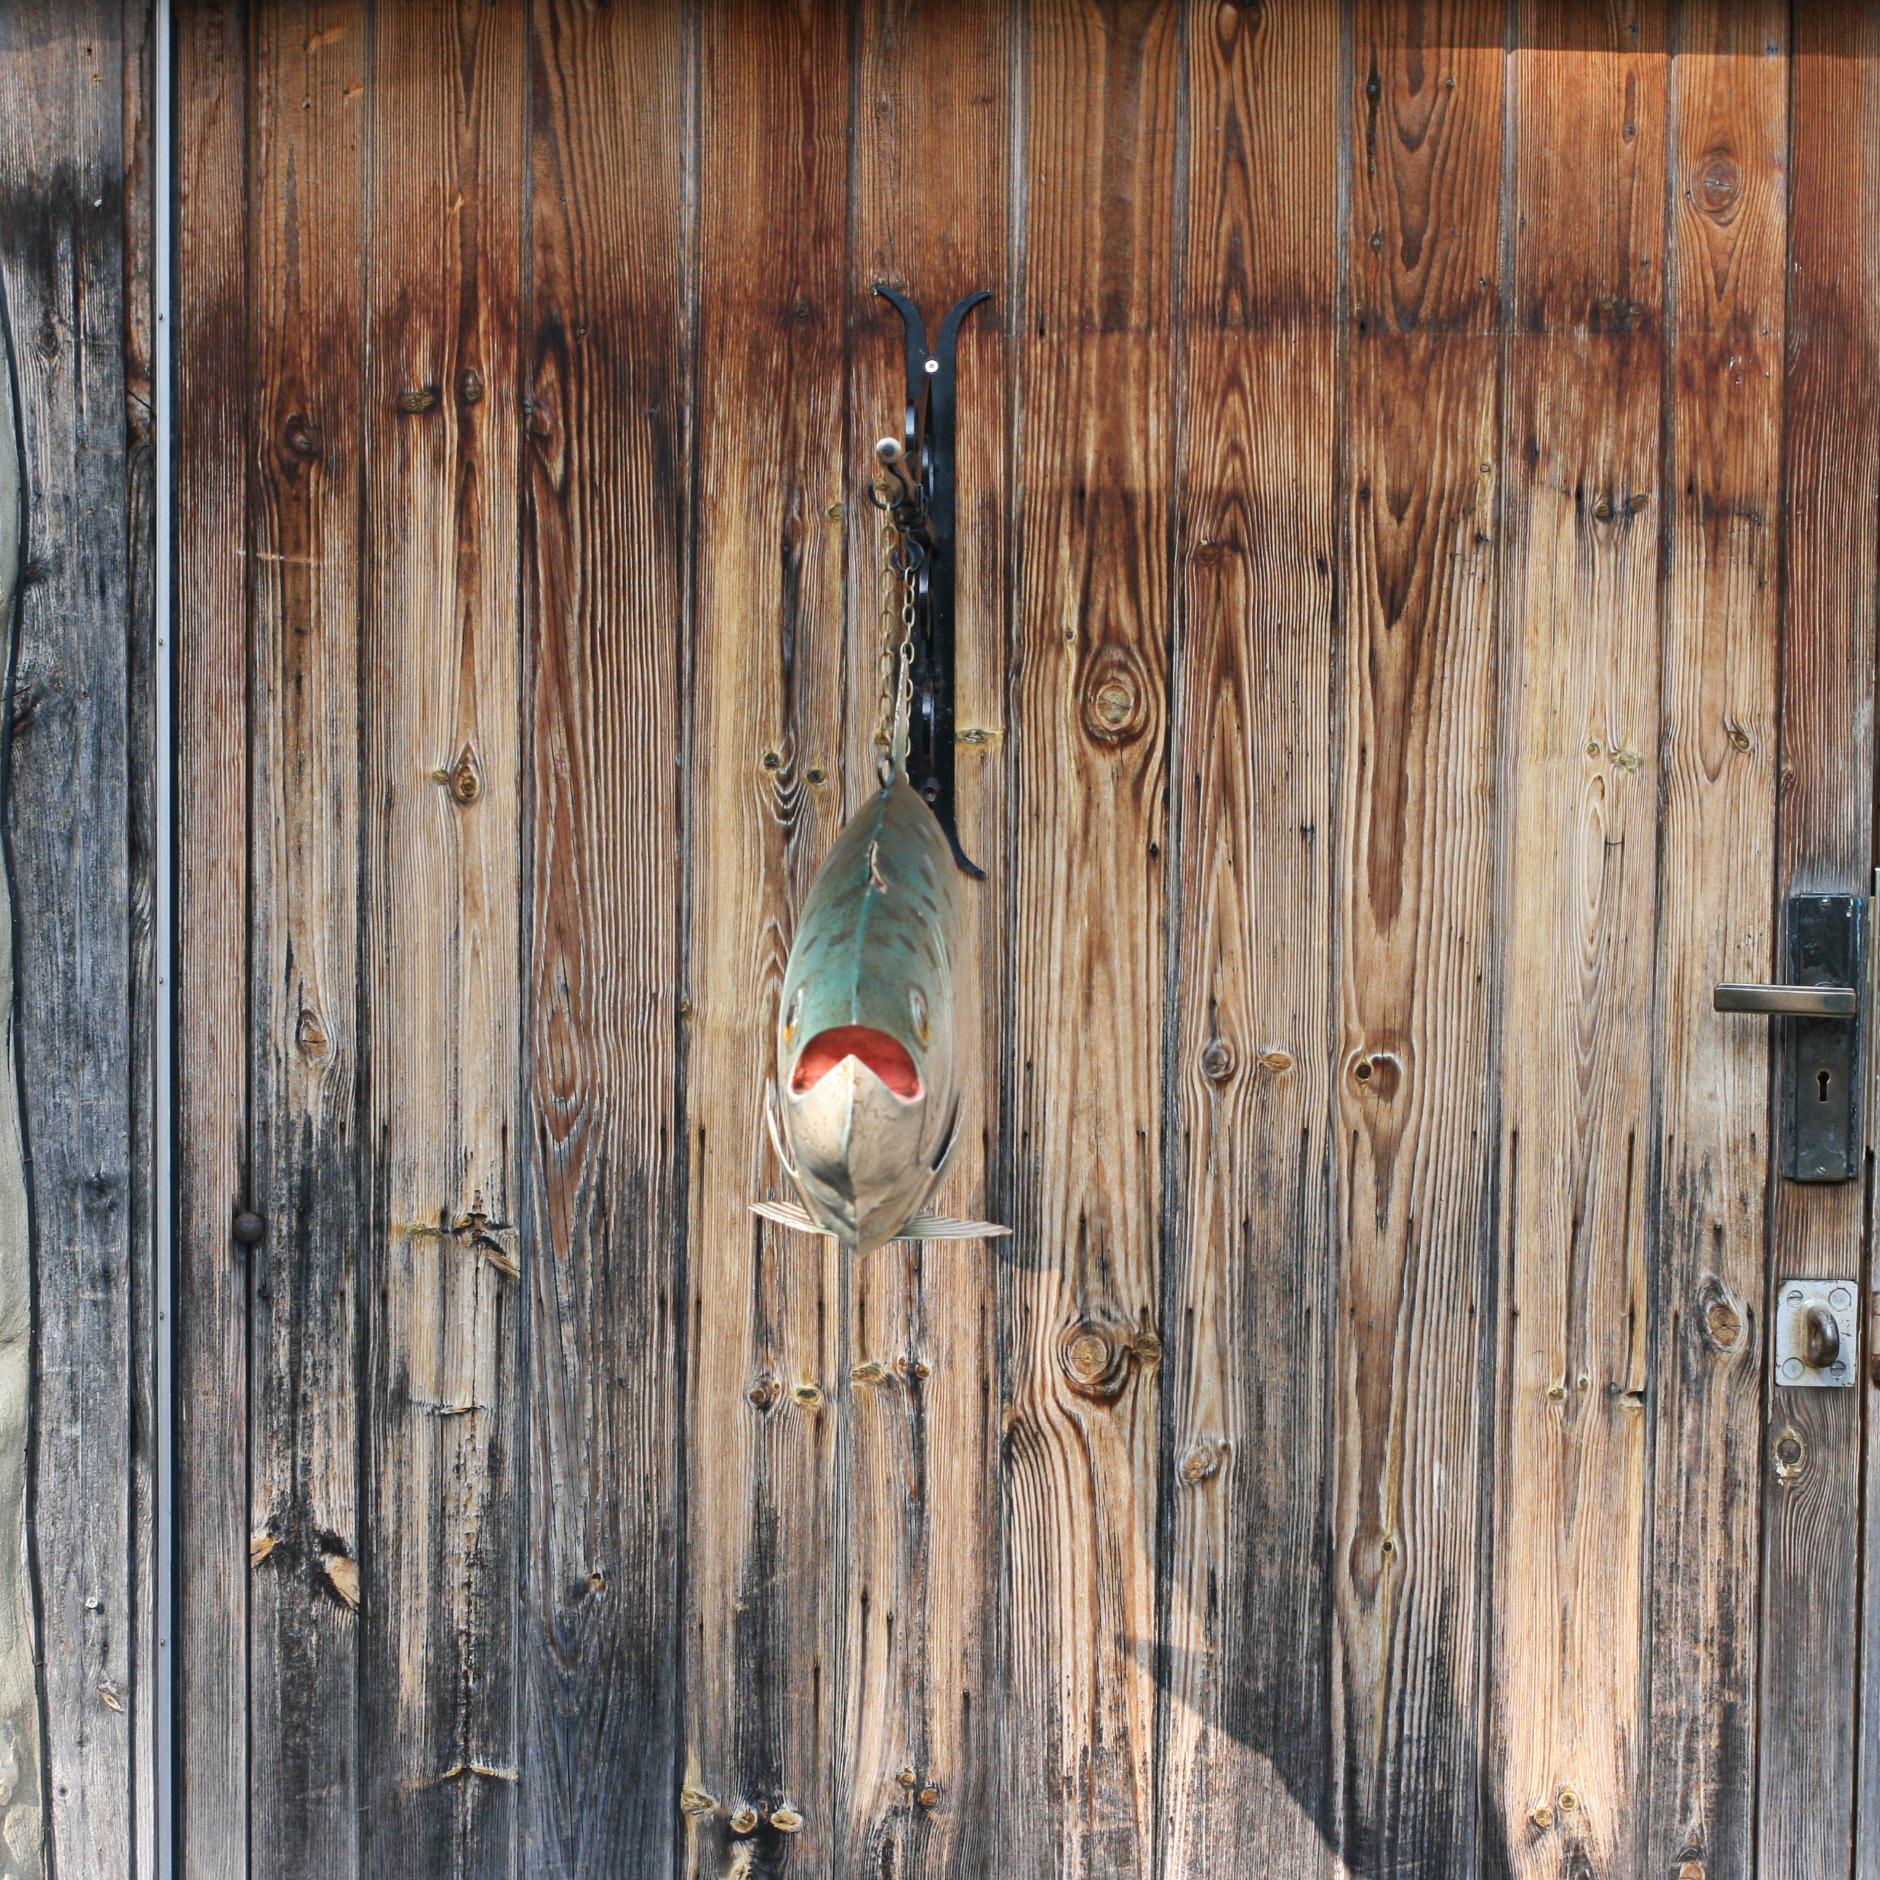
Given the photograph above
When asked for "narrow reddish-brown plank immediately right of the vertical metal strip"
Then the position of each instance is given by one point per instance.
(211, 900)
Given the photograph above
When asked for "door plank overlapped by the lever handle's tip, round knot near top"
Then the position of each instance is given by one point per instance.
(1717, 822)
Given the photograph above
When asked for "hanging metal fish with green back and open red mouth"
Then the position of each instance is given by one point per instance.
(866, 1108)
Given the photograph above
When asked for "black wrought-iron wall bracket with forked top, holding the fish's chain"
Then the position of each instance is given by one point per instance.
(928, 477)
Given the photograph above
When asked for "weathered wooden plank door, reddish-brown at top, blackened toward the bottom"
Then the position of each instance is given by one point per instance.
(1418, 576)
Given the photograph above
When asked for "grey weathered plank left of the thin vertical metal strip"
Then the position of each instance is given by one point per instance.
(61, 255)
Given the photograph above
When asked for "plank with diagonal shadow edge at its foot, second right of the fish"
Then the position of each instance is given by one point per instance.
(1245, 1742)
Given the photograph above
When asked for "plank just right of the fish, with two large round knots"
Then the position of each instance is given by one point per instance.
(1089, 905)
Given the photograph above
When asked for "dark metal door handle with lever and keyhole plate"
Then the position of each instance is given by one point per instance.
(1825, 1057)
